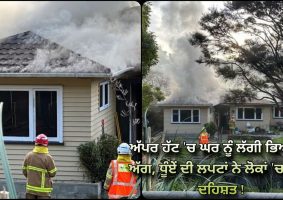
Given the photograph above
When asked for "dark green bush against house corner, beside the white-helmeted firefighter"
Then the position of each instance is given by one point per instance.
(96, 156)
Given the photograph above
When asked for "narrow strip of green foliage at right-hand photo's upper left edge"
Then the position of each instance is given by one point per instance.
(149, 45)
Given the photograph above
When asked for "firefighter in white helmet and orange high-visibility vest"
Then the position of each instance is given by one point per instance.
(120, 182)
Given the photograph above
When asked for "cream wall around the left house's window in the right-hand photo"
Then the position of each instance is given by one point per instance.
(185, 128)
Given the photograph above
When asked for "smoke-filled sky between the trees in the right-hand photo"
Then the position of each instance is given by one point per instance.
(172, 23)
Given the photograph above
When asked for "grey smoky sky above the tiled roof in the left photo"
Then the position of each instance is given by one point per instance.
(106, 32)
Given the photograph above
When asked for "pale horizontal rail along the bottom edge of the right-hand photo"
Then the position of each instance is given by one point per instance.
(196, 195)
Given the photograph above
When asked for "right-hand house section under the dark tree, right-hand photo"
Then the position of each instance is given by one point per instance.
(260, 114)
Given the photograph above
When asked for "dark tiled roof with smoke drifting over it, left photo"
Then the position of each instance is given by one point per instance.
(28, 52)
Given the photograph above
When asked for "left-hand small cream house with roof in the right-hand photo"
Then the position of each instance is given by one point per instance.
(185, 117)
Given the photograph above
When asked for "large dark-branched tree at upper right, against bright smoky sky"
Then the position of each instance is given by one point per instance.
(256, 63)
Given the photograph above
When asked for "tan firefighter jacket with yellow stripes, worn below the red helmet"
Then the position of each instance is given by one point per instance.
(38, 168)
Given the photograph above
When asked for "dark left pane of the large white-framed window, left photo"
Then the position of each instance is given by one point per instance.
(15, 113)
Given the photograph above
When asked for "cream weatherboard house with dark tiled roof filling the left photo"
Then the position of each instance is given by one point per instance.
(49, 89)
